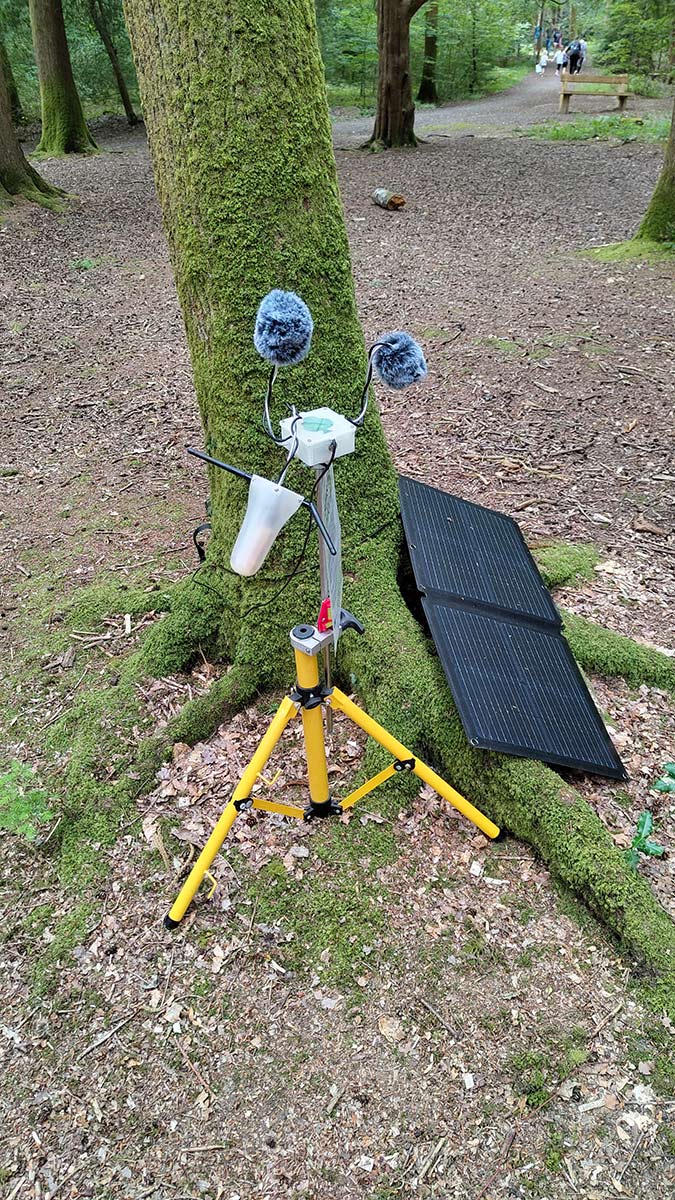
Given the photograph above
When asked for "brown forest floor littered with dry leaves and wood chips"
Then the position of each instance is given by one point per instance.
(395, 1009)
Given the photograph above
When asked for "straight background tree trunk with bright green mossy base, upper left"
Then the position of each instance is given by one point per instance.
(64, 129)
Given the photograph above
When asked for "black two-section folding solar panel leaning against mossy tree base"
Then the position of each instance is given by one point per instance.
(499, 635)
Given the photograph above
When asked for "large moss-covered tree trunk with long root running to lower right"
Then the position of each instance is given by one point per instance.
(236, 112)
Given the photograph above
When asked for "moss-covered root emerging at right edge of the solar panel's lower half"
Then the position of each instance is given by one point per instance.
(612, 655)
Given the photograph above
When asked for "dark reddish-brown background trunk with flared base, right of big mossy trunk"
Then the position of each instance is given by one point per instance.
(395, 123)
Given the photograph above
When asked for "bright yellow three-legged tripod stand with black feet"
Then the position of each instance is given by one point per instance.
(308, 699)
